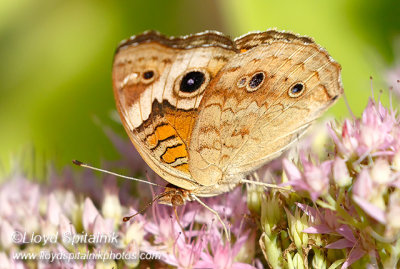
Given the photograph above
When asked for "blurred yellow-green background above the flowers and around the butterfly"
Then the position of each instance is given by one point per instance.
(56, 55)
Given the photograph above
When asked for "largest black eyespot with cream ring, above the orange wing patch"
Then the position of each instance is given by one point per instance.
(191, 83)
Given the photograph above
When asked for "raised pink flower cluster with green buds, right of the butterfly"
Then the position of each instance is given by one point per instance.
(348, 200)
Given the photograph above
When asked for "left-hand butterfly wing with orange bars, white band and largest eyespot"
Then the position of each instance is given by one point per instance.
(158, 84)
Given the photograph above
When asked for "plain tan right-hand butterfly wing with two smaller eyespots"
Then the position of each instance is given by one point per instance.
(261, 101)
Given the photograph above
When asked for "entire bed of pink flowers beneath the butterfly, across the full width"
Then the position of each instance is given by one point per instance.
(341, 209)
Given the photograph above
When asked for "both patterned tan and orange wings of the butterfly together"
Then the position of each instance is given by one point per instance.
(204, 111)
